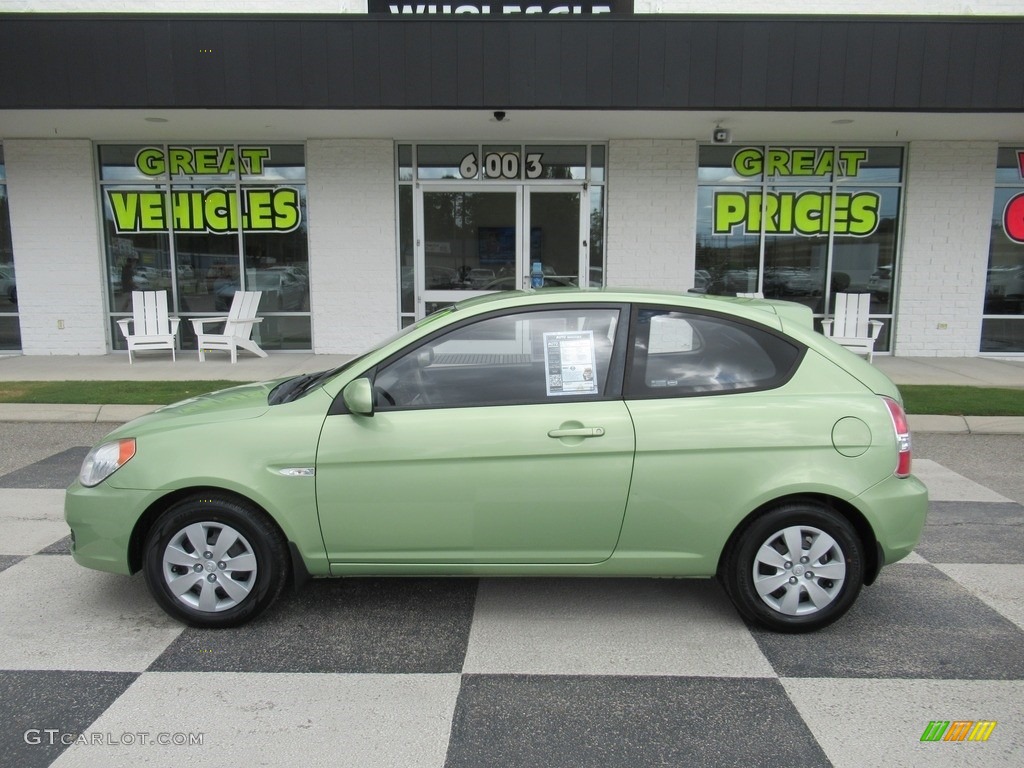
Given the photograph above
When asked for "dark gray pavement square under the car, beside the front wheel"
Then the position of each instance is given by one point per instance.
(352, 625)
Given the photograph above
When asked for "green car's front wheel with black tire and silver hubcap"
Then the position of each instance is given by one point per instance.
(241, 573)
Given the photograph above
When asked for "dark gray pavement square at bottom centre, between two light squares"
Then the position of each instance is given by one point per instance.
(634, 722)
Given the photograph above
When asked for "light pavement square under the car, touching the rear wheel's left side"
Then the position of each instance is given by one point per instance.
(610, 627)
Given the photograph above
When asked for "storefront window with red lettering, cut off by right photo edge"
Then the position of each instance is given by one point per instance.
(1003, 325)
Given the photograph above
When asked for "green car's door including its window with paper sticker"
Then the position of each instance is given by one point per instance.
(500, 441)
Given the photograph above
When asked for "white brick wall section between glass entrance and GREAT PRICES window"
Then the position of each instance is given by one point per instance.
(652, 233)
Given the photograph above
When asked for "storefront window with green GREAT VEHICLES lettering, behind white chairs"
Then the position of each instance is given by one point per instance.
(203, 222)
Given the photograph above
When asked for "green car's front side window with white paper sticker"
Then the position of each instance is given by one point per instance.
(506, 360)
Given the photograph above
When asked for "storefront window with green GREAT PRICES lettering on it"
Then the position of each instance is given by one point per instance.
(800, 224)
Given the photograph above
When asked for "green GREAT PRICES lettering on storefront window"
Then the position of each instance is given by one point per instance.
(806, 214)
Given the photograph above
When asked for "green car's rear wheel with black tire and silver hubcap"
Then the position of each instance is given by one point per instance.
(810, 592)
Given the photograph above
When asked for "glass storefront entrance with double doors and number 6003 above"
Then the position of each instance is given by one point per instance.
(480, 218)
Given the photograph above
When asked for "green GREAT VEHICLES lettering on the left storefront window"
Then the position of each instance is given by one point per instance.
(218, 210)
